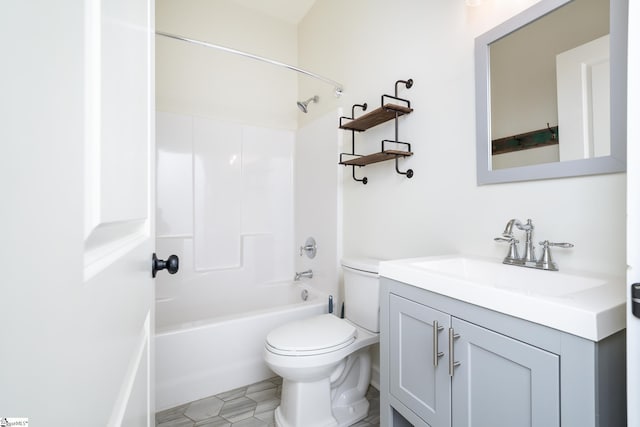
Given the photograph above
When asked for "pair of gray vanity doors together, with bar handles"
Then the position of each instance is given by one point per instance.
(496, 381)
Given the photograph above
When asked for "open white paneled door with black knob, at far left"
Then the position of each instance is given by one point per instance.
(76, 211)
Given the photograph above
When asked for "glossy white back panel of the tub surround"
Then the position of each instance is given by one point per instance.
(204, 164)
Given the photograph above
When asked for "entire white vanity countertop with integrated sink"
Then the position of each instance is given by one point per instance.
(582, 304)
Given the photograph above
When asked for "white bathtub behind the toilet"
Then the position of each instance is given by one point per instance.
(205, 347)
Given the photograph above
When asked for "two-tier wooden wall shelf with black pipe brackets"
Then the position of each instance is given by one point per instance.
(388, 111)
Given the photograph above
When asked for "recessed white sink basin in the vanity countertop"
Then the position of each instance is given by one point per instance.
(493, 273)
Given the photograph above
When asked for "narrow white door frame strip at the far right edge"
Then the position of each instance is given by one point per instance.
(633, 212)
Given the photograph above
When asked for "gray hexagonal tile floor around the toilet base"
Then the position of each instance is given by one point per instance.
(250, 406)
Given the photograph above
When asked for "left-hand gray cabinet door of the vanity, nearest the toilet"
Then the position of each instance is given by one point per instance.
(414, 378)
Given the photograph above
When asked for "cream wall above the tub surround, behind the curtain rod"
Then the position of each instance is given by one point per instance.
(206, 82)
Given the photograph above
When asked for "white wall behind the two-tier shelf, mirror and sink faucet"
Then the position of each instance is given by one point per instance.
(367, 46)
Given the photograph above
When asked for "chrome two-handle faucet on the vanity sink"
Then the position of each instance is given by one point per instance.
(529, 258)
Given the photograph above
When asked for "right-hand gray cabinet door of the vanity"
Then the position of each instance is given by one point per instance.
(502, 382)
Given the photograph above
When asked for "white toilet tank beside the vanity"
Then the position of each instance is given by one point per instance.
(362, 292)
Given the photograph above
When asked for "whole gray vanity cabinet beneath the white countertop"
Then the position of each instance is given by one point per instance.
(447, 363)
